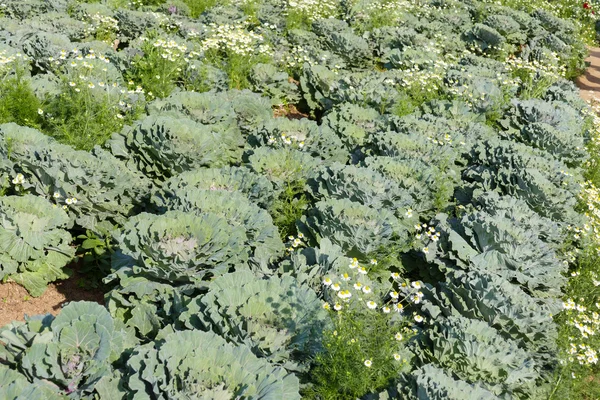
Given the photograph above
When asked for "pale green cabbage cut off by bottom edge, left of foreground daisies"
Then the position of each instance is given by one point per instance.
(201, 365)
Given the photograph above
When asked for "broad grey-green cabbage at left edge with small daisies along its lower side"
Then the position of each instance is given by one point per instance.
(104, 188)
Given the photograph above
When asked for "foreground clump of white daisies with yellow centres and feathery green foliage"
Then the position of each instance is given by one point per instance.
(369, 316)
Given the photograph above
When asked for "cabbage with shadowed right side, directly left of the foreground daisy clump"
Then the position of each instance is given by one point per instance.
(276, 317)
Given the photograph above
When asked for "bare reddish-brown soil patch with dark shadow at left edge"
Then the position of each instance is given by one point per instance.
(15, 301)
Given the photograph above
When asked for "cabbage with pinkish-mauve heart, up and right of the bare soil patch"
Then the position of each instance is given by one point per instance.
(179, 248)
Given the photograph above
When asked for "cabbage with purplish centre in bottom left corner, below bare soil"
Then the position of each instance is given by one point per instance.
(67, 354)
